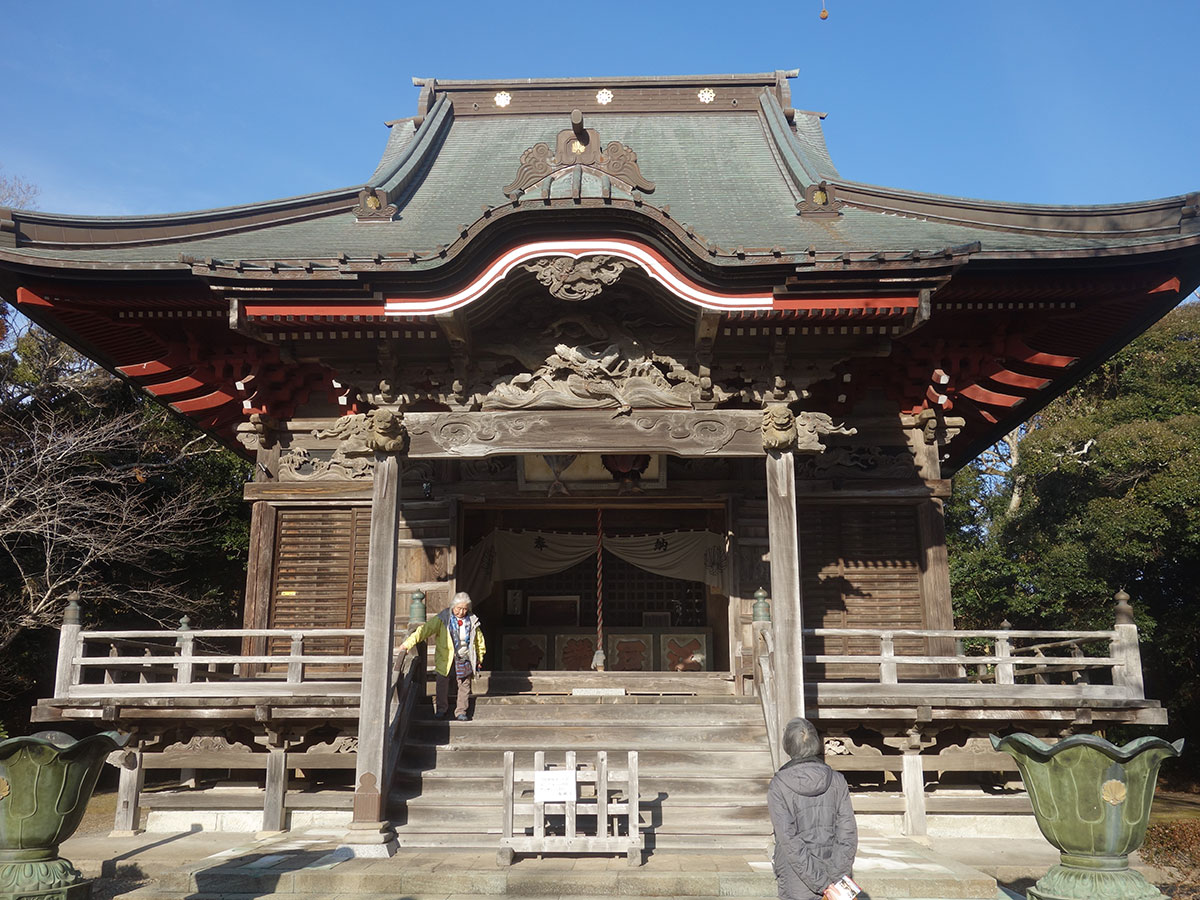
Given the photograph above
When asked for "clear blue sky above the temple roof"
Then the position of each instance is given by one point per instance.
(124, 109)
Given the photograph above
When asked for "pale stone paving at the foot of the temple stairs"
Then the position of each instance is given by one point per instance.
(307, 866)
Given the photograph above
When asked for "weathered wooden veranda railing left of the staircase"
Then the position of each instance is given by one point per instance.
(206, 663)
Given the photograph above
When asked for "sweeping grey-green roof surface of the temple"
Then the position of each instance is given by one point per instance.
(734, 177)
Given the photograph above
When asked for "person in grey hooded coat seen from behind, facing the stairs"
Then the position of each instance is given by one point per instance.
(809, 805)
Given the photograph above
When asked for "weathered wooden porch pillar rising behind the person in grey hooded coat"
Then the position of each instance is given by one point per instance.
(785, 585)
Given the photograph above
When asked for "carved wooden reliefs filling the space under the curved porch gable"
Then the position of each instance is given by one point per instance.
(620, 358)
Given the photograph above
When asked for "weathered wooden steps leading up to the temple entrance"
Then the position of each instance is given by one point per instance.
(703, 758)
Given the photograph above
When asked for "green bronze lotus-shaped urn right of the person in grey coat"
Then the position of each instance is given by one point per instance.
(1091, 800)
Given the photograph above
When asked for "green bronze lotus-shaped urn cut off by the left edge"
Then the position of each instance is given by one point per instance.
(46, 782)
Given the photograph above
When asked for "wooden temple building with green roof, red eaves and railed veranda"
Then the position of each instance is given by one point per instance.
(677, 404)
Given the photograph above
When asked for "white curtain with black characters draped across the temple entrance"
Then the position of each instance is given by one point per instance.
(505, 556)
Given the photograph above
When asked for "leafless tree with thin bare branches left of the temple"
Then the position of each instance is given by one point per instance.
(71, 521)
